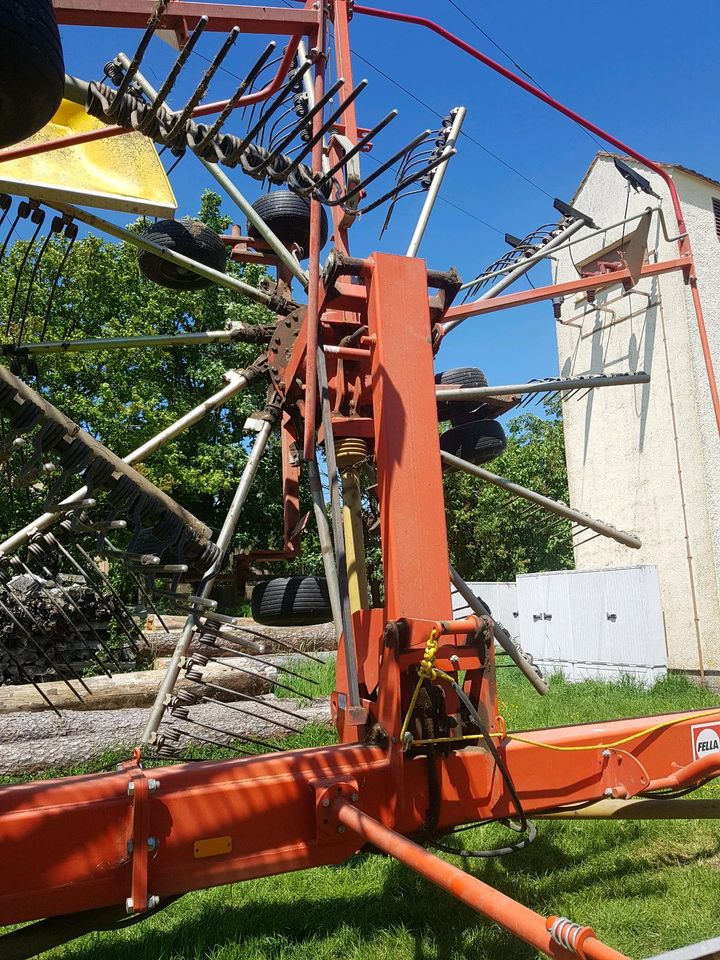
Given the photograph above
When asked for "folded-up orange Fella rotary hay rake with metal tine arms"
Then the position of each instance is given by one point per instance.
(422, 748)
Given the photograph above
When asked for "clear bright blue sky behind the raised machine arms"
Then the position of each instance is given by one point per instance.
(646, 71)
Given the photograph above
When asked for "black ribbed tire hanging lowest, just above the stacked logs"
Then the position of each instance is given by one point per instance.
(291, 601)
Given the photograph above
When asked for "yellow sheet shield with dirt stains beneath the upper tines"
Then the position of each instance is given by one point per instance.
(117, 173)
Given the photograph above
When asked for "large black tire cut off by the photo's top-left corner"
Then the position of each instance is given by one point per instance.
(32, 71)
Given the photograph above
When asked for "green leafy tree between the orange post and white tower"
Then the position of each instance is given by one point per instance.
(493, 537)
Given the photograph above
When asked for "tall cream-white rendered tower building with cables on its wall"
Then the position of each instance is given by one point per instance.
(647, 458)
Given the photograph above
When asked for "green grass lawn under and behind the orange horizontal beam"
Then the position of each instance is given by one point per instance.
(644, 887)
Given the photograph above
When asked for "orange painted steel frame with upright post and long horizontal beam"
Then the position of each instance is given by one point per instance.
(129, 837)
